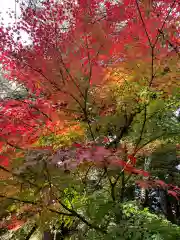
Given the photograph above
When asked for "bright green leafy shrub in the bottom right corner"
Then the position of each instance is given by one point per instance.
(137, 224)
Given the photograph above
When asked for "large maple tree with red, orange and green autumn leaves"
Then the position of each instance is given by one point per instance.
(102, 82)
